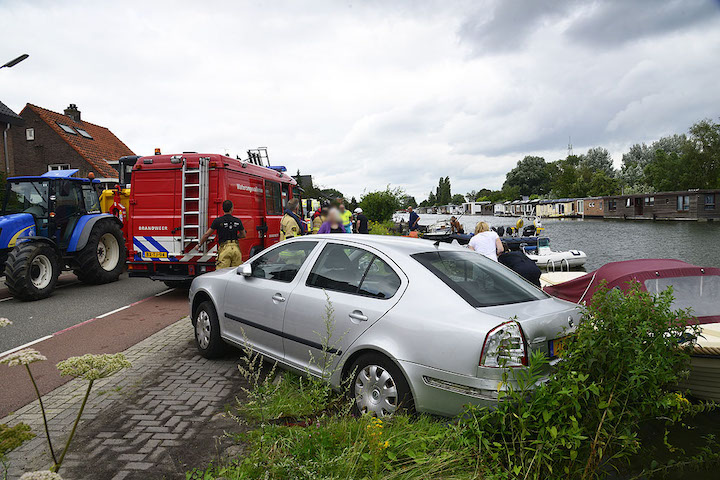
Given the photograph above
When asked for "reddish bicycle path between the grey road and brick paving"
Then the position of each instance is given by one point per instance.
(109, 334)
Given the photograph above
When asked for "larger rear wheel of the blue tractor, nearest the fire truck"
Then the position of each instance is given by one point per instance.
(103, 258)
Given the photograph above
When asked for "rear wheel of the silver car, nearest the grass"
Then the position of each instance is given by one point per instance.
(378, 387)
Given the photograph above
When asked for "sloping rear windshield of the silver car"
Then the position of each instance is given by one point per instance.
(479, 280)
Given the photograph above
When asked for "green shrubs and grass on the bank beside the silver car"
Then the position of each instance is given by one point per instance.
(618, 371)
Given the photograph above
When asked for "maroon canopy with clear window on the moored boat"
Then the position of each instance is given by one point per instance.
(695, 288)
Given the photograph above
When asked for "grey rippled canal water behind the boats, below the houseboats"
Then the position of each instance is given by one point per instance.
(612, 240)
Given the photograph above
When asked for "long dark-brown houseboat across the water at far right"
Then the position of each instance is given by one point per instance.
(680, 205)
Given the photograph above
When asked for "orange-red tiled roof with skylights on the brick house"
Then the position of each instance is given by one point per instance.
(104, 145)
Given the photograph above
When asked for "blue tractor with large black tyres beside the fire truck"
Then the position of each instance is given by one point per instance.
(52, 223)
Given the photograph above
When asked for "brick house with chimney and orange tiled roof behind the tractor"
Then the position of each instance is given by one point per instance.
(58, 141)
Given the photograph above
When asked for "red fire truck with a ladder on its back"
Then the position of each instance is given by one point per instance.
(174, 199)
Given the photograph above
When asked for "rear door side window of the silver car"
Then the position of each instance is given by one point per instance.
(353, 270)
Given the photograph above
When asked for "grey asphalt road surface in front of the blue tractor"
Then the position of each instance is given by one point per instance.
(72, 303)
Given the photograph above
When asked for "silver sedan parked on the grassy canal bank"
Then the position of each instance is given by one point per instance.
(419, 325)
